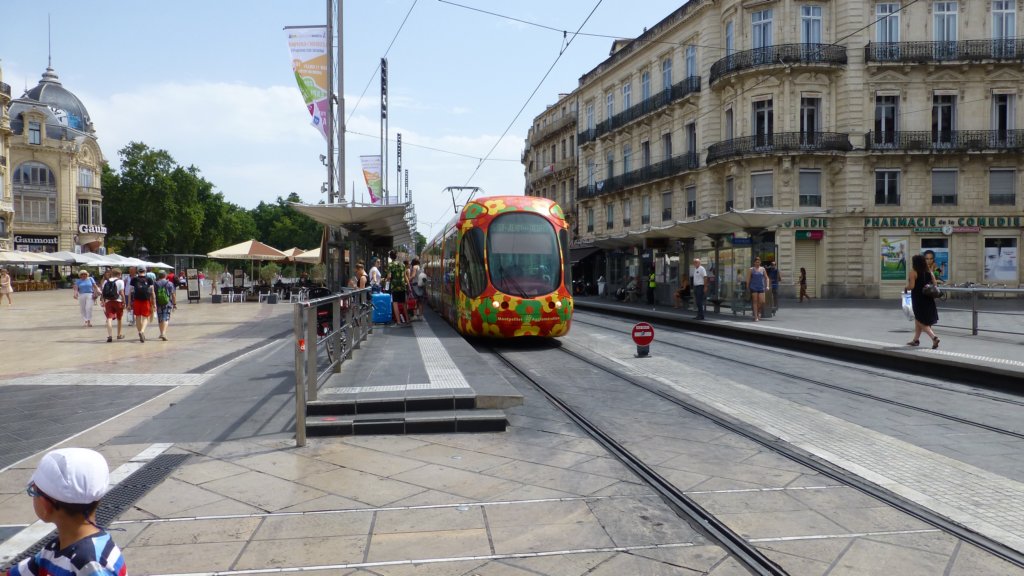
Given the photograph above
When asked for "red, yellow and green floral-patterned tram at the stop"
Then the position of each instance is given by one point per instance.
(501, 269)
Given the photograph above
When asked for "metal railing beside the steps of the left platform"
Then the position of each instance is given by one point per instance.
(327, 331)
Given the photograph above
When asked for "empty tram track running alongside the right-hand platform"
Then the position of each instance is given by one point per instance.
(845, 390)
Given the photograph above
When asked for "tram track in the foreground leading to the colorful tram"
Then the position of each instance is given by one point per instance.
(698, 516)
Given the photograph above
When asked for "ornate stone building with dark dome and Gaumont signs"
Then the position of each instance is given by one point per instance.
(55, 166)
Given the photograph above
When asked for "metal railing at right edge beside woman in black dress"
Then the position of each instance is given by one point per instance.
(1003, 307)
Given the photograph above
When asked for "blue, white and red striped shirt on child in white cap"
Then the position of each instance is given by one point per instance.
(96, 556)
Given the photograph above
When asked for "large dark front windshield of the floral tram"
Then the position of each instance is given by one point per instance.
(523, 255)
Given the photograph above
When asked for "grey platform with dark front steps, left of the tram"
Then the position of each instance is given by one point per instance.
(418, 379)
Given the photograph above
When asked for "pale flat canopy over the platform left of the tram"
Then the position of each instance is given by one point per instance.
(393, 221)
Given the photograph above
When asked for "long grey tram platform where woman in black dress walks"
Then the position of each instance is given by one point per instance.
(872, 332)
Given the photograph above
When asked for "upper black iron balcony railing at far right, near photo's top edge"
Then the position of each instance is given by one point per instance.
(1002, 50)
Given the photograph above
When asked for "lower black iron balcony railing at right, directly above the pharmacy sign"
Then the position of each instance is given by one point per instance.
(947, 141)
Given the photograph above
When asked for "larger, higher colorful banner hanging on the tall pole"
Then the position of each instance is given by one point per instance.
(309, 47)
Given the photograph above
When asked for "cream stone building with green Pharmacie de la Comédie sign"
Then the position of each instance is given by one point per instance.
(893, 127)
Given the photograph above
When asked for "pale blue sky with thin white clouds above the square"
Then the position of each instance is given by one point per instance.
(210, 83)
